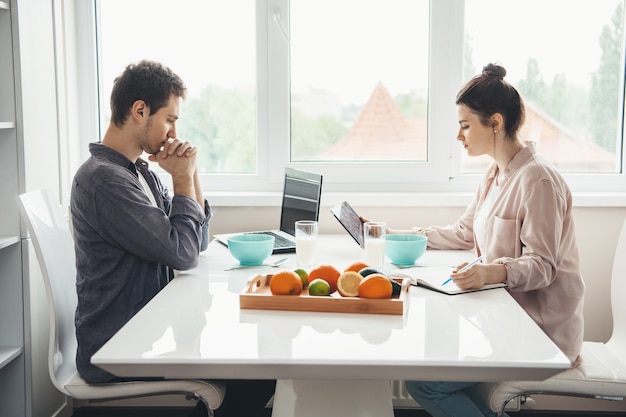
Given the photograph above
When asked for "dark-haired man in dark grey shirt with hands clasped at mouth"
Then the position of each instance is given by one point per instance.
(130, 235)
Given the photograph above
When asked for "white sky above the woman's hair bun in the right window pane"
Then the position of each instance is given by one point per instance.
(539, 22)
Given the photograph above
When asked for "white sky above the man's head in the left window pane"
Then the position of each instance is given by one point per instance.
(201, 40)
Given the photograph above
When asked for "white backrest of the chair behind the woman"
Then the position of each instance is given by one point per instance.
(618, 295)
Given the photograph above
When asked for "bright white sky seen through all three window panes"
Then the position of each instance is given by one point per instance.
(213, 41)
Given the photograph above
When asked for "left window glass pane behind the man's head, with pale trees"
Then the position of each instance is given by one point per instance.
(211, 44)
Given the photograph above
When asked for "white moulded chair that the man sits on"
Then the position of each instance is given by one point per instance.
(55, 251)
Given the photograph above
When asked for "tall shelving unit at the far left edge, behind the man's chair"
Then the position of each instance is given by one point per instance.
(15, 380)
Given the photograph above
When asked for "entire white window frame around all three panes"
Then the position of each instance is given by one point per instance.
(441, 174)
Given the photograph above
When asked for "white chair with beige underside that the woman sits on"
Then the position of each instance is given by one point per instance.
(602, 375)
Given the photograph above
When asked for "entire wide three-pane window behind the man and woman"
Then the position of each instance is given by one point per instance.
(363, 91)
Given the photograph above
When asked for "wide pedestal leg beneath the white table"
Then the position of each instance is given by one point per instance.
(332, 398)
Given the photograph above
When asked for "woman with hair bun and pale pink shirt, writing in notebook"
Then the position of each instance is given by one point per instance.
(521, 222)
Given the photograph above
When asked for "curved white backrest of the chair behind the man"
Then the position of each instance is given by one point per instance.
(54, 247)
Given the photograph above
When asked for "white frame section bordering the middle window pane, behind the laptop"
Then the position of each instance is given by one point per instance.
(379, 176)
